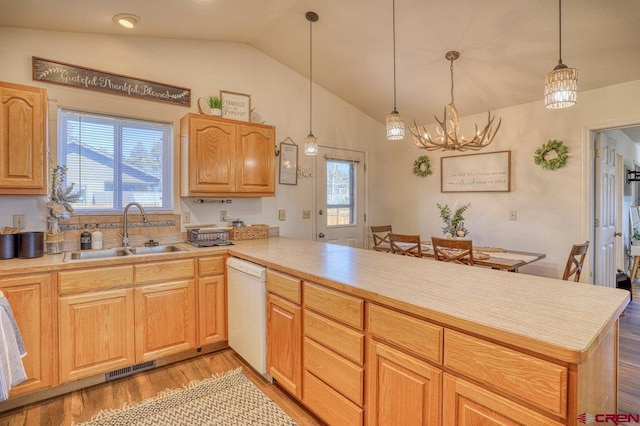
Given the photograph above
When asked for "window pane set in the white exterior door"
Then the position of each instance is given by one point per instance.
(340, 192)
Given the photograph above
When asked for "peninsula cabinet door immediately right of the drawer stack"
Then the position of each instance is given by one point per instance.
(402, 390)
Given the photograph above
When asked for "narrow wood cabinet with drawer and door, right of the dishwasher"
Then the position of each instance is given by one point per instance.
(284, 331)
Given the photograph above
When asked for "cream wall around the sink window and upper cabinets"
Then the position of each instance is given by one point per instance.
(280, 97)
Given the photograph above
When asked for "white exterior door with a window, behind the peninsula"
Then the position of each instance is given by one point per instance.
(340, 200)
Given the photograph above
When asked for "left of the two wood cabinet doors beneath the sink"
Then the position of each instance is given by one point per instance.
(95, 333)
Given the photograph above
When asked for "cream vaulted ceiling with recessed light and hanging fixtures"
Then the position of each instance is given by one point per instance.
(506, 46)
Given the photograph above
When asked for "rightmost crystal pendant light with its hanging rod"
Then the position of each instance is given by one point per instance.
(561, 84)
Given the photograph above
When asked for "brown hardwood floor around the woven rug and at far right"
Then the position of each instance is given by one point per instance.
(80, 405)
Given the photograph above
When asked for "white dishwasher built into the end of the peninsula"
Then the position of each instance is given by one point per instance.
(247, 311)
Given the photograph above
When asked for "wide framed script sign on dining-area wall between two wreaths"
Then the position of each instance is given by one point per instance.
(488, 172)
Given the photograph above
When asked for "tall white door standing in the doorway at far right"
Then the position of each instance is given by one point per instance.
(605, 211)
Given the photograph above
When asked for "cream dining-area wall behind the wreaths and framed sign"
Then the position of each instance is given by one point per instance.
(550, 205)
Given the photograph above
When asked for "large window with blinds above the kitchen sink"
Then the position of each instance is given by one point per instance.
(114, 161)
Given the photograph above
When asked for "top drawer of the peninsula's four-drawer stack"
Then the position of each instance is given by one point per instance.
(334, 304)
